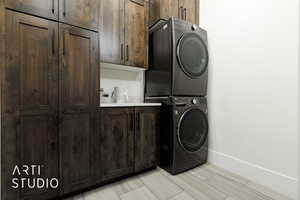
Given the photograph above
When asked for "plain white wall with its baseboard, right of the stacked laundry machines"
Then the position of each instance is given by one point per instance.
(253, 88)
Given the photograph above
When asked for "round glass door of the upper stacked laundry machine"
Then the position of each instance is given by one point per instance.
(192, 54)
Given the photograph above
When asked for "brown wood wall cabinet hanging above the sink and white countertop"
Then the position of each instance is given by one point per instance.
(124, 32)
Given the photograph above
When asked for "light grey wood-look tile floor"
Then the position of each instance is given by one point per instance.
(207, 182)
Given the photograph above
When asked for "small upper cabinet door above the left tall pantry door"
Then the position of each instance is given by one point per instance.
(43, 8)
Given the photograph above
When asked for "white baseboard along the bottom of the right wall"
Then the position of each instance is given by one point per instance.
(278, 182)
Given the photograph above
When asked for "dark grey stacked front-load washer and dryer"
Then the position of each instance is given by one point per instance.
(177, 78)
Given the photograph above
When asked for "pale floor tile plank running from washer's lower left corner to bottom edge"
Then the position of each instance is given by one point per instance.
(162, 187)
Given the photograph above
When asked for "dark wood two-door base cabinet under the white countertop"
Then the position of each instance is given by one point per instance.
(129, 140)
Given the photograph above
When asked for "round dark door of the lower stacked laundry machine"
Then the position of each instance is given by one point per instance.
(192, 129)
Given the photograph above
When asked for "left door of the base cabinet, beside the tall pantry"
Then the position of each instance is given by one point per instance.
(117, 142)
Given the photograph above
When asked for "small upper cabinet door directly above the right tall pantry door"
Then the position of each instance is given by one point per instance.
(81, 13)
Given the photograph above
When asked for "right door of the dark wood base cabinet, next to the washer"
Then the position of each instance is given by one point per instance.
(147, 131)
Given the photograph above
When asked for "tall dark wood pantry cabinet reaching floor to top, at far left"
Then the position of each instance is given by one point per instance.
(49, 82)
